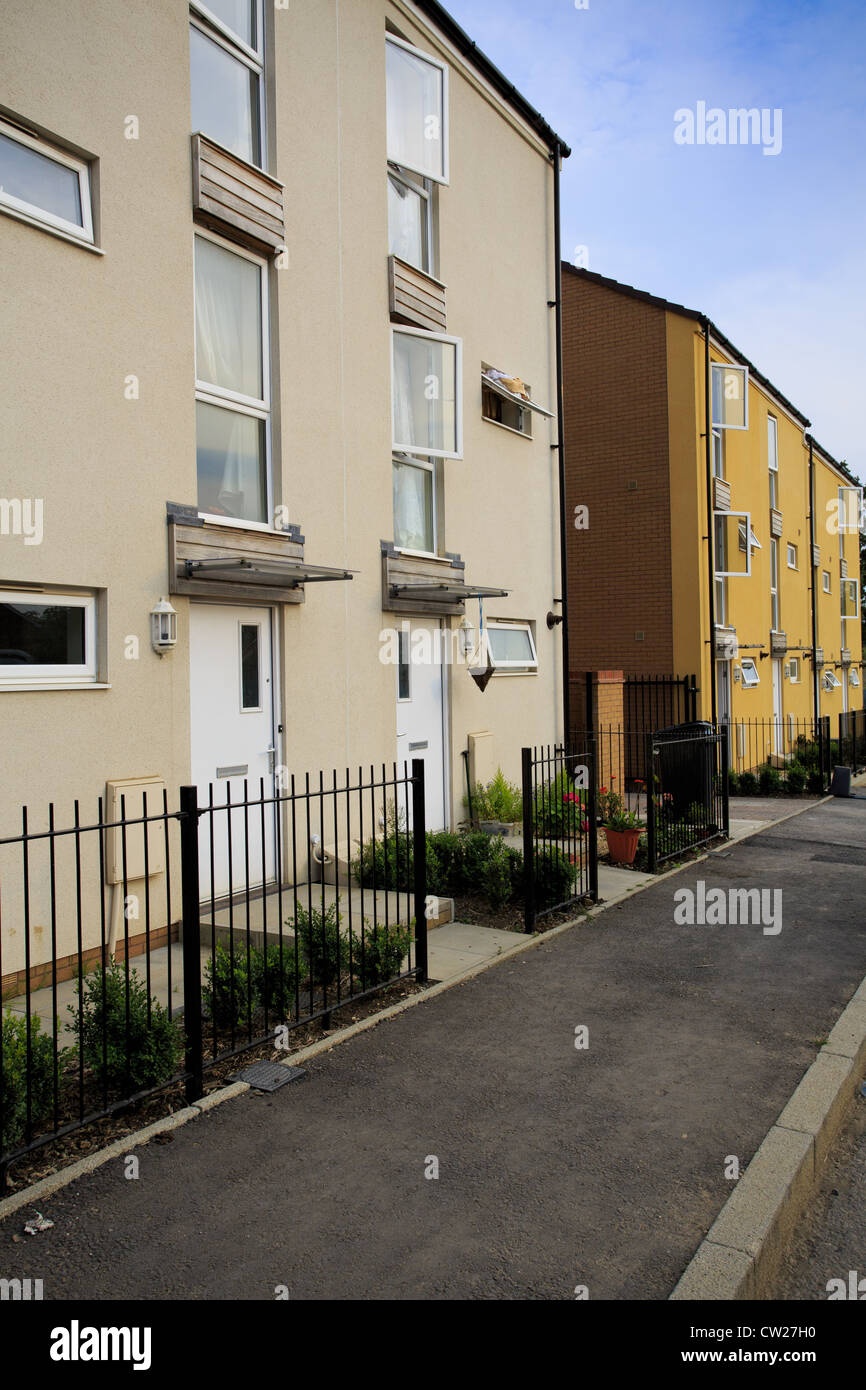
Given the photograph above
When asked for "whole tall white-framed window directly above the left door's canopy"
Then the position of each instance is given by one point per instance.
(233, 383)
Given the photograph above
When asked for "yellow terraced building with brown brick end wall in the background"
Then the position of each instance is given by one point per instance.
(669, 426)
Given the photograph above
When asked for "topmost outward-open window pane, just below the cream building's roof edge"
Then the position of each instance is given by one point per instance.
(416, 124)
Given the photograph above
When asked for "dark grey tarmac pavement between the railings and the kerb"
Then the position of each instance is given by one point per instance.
(557, 1167)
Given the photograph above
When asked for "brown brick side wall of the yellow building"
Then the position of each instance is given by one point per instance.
(616, 433)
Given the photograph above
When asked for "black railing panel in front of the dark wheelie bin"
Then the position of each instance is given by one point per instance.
(687, 803)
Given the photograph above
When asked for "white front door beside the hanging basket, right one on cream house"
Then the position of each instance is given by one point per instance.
(422, 712)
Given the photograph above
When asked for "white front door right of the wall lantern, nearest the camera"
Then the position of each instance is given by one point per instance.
(231, 696)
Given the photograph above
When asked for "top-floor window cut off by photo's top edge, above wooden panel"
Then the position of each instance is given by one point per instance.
(227, 84)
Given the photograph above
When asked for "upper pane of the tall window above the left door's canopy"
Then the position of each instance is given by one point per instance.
(229, 320)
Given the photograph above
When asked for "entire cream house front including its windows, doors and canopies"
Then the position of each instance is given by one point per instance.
(212, 354)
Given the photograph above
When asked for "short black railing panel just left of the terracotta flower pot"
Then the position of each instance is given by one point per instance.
(559, 829)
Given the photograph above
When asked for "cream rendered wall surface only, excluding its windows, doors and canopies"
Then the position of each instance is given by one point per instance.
(76, 325)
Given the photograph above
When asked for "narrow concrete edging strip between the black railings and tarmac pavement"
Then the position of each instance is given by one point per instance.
(55, 1182)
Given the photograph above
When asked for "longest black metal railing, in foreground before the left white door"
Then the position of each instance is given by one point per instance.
(293, 903)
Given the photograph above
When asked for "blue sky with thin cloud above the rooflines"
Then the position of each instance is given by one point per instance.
(774, 248)
